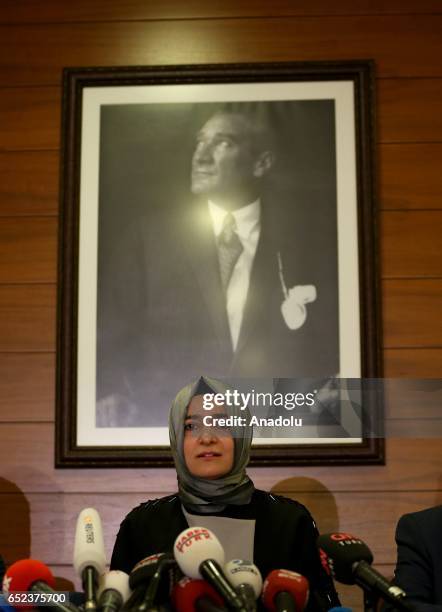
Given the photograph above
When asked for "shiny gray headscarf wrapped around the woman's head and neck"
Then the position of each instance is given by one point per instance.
(201, 494)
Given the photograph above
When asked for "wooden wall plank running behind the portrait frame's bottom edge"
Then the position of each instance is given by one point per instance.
(27, 455)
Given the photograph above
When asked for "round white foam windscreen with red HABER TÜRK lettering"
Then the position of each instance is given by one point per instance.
(195, 545)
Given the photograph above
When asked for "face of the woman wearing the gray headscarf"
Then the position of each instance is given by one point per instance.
(208, 451)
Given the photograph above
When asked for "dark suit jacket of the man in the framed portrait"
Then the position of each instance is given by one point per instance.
(162, 319)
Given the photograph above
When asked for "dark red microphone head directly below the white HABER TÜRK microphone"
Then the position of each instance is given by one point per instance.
(189, 595)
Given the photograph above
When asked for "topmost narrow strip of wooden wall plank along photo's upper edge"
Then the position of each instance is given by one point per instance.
(21, 11)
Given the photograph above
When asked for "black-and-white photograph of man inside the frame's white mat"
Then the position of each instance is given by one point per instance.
(213, 255)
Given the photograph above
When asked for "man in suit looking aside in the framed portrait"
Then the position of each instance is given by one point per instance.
(231, 285)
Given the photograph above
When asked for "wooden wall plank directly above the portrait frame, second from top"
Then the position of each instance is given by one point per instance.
(392, 40)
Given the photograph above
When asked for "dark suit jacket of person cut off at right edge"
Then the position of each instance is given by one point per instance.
(419, 563)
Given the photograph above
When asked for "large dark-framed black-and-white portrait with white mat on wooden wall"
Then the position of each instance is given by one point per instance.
(218, 221)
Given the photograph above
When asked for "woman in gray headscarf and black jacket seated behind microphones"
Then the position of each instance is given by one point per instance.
(215, 492)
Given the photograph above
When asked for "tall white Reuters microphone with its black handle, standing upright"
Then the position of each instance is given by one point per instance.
(89, 554)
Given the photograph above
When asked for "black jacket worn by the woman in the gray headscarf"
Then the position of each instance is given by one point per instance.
(285, 537)
